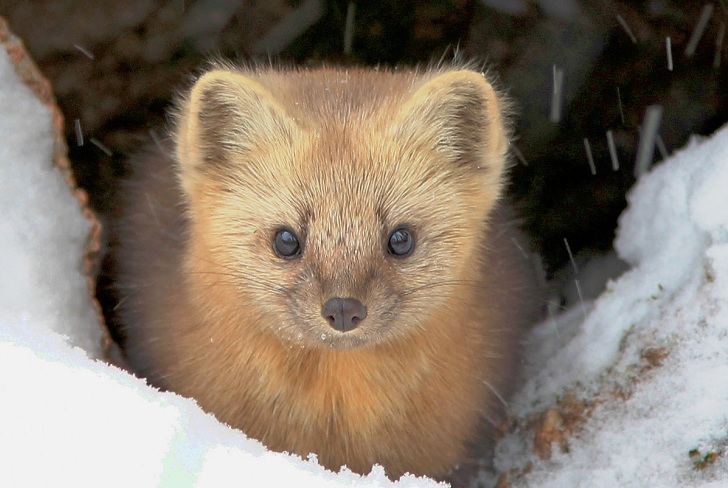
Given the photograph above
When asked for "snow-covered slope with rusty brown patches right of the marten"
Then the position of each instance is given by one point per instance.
(674, 300)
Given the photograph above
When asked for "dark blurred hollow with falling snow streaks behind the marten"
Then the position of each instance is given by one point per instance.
(575, 69)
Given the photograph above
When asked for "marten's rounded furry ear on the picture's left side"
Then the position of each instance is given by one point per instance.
(227, 116)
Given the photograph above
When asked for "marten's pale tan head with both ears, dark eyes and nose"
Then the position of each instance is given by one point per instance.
(340, 208)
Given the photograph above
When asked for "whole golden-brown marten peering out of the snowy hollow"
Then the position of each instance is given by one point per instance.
(320, 259)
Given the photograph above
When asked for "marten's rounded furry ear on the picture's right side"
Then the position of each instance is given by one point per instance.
(460, 114)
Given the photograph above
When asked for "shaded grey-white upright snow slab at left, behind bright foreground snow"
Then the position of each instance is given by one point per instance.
(42, 231)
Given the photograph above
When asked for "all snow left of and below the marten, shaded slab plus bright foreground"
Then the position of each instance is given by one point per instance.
(66, 419)
